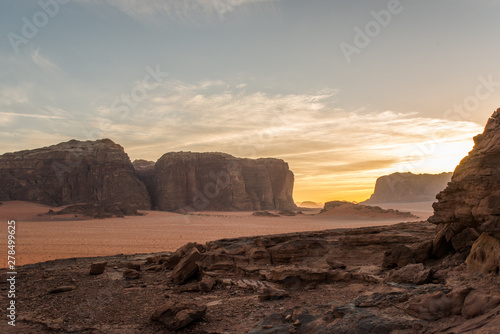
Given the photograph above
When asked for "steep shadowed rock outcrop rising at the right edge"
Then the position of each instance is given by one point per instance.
(470, 205)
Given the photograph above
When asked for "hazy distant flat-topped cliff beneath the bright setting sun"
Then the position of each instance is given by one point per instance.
(408, 187)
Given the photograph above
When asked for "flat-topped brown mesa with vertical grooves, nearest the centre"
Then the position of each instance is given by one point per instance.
(219, 181)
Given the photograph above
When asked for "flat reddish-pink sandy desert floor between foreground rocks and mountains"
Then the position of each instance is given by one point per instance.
(41, 237)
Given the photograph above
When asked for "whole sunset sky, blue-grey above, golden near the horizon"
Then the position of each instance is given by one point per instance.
(344, 91)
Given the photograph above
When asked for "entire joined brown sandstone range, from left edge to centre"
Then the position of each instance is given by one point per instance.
(101, 172)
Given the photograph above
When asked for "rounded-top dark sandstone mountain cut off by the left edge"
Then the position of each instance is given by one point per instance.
(72, 172)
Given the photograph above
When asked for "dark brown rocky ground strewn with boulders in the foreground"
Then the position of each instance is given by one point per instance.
(366, 280)
